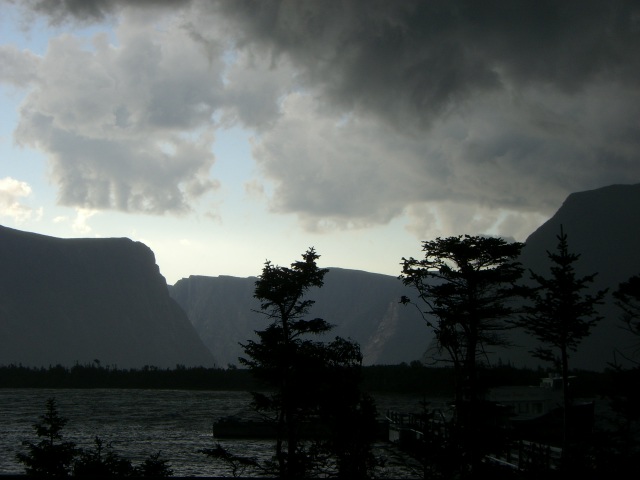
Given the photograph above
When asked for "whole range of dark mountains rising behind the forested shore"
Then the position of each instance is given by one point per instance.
(68, 301)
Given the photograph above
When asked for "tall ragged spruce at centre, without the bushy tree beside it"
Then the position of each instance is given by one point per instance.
(276, 357)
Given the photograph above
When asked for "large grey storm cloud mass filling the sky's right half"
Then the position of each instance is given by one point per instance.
(504, 104)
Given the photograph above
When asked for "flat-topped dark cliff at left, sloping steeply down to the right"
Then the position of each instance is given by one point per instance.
(76, 300)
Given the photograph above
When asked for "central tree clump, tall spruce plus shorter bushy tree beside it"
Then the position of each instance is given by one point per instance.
(304, 375)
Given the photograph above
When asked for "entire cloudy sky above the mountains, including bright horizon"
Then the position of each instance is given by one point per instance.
(222, 134)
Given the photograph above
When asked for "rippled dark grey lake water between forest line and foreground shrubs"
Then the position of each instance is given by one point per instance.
(138, 423)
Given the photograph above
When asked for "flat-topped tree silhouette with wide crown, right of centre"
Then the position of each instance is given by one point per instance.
(467, 284)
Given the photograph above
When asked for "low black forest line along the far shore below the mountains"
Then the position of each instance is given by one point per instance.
(414, 378)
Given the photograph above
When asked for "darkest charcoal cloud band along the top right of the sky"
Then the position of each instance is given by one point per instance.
(412, 60)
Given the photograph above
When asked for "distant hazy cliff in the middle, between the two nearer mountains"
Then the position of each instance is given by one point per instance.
(362, 306)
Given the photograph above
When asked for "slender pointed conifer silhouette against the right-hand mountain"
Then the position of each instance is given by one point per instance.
(561, 315)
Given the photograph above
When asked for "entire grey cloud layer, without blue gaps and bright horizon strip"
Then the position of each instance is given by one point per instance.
(363, 109)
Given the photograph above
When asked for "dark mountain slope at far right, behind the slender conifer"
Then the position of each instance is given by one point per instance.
(603, 226)
